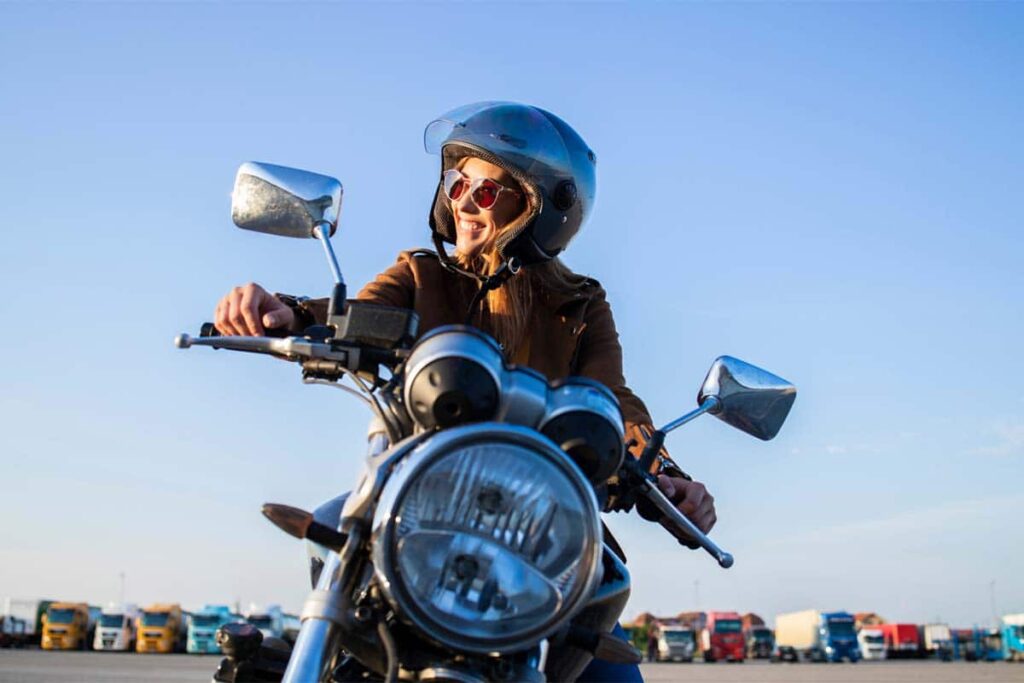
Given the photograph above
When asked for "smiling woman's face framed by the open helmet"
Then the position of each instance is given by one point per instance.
(477, 228)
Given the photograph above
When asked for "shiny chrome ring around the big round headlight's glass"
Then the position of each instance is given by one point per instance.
(386, 522)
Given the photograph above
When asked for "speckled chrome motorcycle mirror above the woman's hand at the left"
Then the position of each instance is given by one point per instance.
(284, 201)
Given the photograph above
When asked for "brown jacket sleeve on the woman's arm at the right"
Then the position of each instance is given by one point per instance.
(600, 357)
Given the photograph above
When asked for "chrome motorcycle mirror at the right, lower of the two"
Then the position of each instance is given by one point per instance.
(752, 400)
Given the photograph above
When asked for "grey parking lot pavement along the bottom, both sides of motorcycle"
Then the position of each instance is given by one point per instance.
(40, 667)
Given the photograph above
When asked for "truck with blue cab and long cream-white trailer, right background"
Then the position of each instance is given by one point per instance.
(819, 636)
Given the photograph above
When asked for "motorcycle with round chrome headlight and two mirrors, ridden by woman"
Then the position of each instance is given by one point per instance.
(473, 548)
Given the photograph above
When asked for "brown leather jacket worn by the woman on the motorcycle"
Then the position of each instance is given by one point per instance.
(572, 334)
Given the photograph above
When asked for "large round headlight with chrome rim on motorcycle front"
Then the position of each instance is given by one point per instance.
(488, 538)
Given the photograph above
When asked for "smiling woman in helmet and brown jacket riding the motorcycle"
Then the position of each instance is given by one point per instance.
(517, 185)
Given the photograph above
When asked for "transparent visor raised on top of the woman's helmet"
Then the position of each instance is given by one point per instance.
(521, 136)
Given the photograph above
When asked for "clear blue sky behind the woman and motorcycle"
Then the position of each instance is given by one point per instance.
(830, 191)
